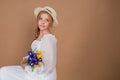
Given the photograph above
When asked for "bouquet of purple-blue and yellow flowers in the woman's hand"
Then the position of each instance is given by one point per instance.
(34, 59)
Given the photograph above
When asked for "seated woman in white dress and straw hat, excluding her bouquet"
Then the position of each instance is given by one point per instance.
(46, 42)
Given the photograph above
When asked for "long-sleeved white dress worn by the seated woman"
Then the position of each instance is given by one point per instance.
(45, 72)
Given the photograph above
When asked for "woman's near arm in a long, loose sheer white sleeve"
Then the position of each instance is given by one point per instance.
(49, 55)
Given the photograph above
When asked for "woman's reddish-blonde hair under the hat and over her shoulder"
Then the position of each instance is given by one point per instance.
(37, 30)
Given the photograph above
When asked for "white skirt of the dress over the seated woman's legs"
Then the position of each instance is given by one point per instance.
(17, 73)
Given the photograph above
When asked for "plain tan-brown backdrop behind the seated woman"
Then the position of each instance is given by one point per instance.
(88, 36)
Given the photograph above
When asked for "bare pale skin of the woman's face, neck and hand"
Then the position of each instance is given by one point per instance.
(44, 22)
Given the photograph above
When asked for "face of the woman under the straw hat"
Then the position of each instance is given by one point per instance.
(44, 21)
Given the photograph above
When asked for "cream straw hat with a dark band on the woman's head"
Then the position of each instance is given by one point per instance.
(49, 10)
